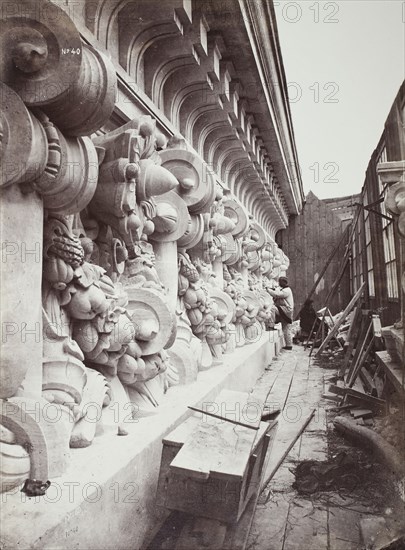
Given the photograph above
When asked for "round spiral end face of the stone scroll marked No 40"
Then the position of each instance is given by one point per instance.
(42, 52)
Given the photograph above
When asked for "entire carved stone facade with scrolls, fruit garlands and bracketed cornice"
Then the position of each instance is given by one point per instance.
(147, 163)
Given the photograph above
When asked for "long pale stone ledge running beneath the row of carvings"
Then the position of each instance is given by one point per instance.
(106, 498)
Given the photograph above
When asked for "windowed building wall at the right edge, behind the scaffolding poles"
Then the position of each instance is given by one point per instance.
(377, 247)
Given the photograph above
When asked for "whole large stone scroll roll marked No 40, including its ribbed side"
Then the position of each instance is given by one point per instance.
(46, 63)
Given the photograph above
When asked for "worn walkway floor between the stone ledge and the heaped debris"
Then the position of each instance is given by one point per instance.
(285, 520)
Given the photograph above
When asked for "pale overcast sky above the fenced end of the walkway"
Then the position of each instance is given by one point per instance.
(344, 64)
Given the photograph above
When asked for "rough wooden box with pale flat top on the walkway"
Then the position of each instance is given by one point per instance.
(211, 468)
